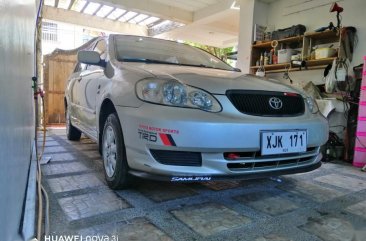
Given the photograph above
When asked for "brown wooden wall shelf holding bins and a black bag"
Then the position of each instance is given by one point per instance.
(304, 44)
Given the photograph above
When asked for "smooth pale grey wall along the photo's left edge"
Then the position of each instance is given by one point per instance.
(17, 26)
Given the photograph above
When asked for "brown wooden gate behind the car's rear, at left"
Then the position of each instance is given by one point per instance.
(57, 68)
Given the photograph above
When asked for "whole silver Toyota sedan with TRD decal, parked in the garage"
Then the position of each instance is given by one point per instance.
(168, 111)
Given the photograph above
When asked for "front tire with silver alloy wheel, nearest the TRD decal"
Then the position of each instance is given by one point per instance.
(114, 154)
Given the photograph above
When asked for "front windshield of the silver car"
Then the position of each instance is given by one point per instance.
(150, 50)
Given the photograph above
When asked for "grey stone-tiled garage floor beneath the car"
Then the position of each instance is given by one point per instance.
(327, 204)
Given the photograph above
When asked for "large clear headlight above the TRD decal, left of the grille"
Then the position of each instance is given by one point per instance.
(174, 93)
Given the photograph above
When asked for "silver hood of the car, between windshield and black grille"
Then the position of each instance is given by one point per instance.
(214, 81)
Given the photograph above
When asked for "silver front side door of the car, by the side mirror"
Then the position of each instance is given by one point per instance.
(90, 84)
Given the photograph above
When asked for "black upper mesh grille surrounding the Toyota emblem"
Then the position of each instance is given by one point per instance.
(254, 102)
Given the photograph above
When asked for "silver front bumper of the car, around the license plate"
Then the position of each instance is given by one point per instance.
(211, 134)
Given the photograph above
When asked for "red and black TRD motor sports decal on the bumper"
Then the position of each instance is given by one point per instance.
(153, 134)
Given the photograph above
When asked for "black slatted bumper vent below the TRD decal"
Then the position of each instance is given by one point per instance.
(177, 158)
